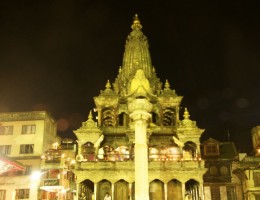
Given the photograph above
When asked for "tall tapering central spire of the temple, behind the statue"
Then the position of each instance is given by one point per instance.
(136, 56)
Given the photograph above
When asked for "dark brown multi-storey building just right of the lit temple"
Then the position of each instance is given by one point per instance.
(221, 159)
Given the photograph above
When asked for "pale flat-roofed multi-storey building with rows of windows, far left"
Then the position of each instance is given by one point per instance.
(24, 137)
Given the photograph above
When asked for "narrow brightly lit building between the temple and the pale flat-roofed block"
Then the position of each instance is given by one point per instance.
(57, 180)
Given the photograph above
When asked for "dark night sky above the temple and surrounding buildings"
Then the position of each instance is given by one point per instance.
(58, 55)
